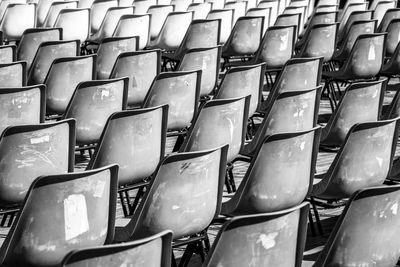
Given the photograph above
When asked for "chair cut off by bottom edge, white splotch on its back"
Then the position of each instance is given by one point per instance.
(269, 239)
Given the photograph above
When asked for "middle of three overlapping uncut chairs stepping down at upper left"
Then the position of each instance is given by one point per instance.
(46, 53)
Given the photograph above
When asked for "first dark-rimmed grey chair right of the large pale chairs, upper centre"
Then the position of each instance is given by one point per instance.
(200, 34)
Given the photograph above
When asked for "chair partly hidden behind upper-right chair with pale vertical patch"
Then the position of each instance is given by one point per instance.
(356, 29)
